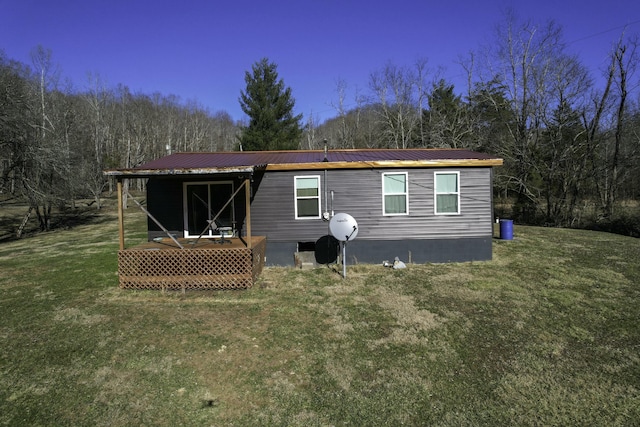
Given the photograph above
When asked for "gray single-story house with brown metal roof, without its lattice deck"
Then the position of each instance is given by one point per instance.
(422, 205)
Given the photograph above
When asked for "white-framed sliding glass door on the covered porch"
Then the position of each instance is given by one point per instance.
(202, 202)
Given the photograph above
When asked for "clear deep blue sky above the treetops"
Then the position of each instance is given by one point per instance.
(200, 49)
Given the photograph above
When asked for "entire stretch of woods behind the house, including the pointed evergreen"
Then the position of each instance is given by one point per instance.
(570, 137)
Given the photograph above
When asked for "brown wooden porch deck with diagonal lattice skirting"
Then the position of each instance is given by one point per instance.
(202, 265)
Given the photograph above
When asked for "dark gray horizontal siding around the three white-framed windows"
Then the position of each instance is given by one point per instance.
(359, 193)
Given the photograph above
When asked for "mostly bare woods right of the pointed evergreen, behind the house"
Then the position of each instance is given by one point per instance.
(569, 136)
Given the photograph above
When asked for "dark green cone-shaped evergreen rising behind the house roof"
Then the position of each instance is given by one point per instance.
(269, 105)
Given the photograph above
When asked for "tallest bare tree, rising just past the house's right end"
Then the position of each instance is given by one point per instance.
(523, 61)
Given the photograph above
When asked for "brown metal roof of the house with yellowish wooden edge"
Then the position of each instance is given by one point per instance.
(247, 161)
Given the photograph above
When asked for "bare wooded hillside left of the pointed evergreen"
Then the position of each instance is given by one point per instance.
(56, 142)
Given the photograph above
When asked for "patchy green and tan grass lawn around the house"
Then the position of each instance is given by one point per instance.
(545, 334)
